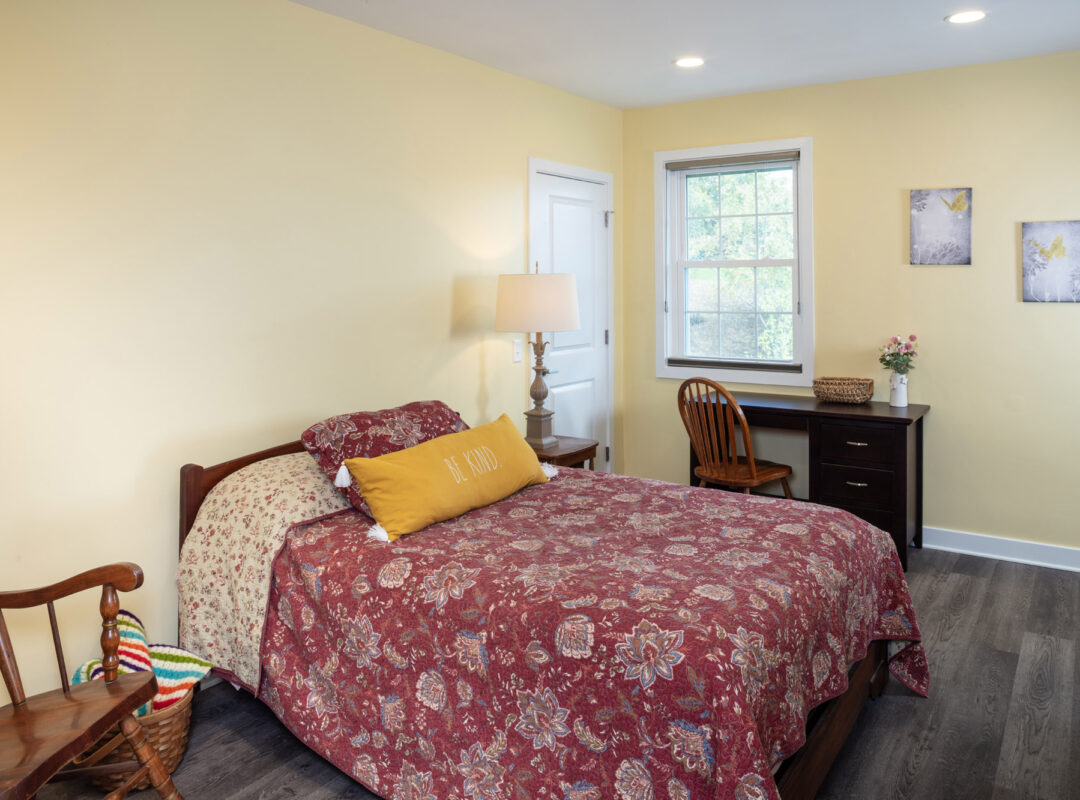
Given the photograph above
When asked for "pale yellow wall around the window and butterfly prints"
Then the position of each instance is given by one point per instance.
(1003, 376)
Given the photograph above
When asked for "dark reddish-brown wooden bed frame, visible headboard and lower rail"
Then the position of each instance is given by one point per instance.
(829, 726)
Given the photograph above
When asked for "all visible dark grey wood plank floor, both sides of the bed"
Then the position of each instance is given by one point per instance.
(1003, 722)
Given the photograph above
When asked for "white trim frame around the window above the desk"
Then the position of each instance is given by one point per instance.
(804, 323)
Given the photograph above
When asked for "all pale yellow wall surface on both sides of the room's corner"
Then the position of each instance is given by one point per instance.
(222, 221)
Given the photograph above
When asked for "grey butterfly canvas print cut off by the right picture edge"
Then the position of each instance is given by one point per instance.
(1051, 262)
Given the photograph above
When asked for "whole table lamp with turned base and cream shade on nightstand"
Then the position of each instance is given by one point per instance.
(533, 304)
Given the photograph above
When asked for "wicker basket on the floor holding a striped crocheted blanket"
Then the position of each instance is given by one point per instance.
(167, 730)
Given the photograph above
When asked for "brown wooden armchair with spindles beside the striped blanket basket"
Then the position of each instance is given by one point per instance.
(40, 736)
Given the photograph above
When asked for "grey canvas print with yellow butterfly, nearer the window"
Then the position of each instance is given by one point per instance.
(941, 227)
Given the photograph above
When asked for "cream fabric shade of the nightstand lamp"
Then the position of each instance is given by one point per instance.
(533, 303)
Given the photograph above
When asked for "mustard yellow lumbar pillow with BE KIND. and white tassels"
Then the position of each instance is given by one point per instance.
(445, 477)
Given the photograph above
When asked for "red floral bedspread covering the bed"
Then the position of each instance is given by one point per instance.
(595, 638)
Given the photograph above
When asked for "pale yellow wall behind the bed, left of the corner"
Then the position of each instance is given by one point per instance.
(220, 223)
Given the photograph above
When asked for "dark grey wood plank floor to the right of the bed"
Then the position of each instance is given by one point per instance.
(1003, 722)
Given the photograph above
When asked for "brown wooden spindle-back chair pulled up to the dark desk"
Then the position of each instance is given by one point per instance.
(711, 416)
